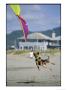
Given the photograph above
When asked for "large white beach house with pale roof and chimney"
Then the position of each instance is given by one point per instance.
(38, 41)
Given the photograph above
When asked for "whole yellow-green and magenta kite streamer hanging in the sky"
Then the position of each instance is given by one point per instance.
(16, 10)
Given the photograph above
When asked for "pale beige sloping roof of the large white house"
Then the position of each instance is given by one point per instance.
(37, 36)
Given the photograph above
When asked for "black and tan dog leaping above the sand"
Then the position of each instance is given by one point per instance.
(39, 61)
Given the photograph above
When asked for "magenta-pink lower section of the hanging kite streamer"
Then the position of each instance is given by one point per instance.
(24, 25)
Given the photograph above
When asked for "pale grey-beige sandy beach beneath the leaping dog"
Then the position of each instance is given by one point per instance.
(22, 71)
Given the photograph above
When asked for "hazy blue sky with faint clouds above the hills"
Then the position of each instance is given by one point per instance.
(38, 17)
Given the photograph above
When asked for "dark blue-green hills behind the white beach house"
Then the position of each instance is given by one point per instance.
(12, 37)
